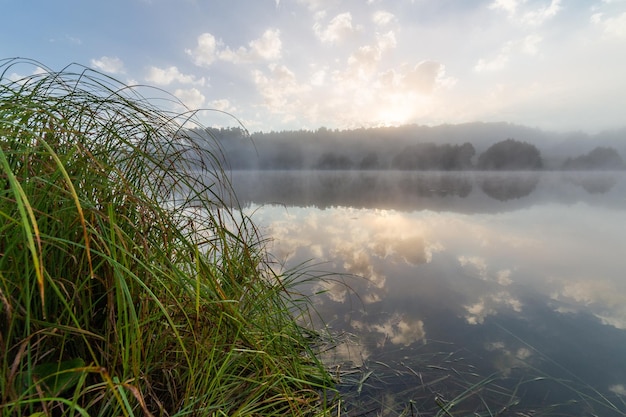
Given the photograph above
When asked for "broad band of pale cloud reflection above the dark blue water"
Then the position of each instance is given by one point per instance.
(541, 250)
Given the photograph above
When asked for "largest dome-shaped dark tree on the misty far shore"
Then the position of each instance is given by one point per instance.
(510, 154)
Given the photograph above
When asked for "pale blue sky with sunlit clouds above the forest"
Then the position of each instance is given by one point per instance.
(558, 65)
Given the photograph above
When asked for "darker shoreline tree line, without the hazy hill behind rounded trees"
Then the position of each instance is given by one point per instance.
(371, 149)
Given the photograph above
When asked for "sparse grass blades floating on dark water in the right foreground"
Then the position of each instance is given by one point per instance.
(447, 384)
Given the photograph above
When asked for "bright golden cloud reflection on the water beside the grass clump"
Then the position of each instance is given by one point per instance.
(362, 243)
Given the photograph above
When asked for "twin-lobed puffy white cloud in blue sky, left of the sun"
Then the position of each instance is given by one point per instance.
(266, 48)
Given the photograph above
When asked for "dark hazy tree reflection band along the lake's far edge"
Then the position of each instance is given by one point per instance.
(399, 190)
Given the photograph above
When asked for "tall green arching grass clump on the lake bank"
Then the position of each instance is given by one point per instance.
(127, 286)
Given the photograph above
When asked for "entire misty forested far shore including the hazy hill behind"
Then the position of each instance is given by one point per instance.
(472, 146)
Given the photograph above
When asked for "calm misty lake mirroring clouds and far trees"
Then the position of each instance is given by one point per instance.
(464, 293)
